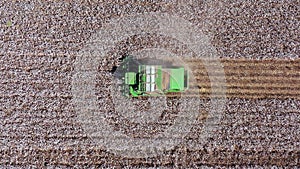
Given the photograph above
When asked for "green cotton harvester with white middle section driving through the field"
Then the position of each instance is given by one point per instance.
(152, 79)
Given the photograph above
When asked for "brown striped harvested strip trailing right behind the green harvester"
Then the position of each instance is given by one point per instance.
(245, 78)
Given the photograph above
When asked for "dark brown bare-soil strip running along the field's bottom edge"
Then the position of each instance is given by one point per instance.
(96, 157)
